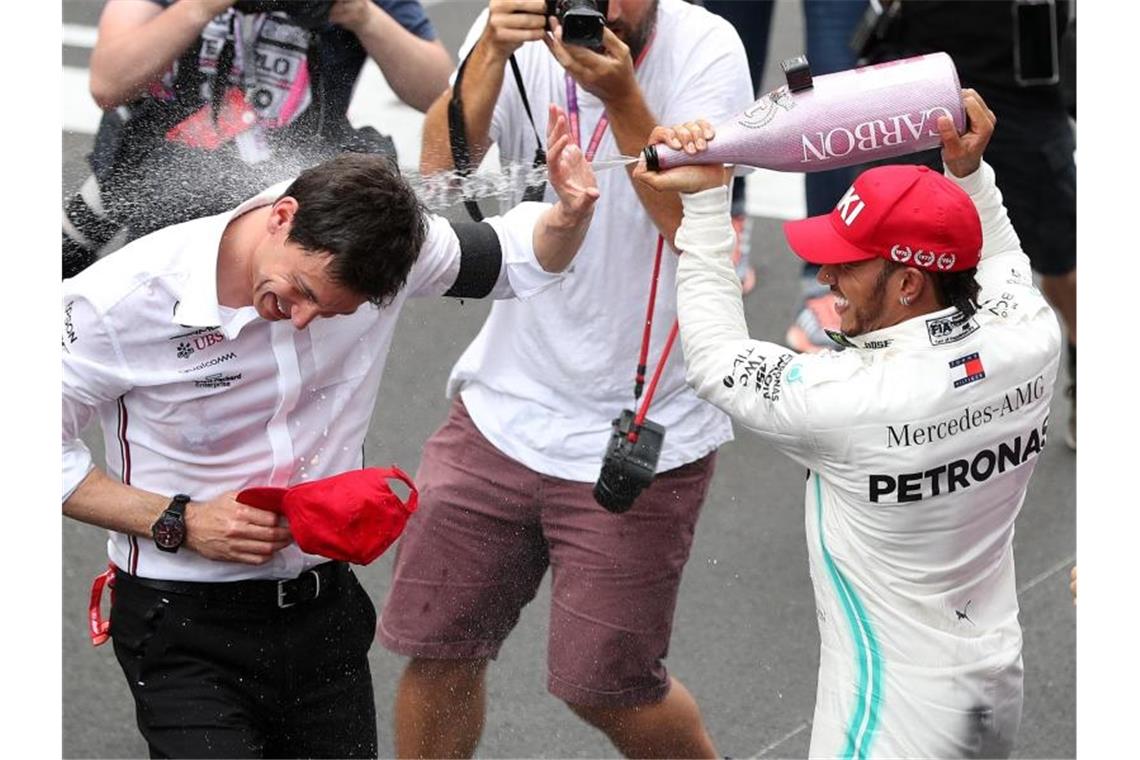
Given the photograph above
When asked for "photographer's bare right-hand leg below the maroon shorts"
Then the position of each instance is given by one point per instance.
(671, 729)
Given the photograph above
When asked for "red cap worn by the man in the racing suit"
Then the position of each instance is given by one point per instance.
(905, 214)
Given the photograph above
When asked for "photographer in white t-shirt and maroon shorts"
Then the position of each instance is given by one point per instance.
(536, 394)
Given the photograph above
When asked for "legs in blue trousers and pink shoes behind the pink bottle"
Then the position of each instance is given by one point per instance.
(828, 28)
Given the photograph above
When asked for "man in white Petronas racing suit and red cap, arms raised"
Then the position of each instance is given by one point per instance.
(919, 439)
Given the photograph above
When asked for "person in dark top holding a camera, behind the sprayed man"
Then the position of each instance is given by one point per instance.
(208, 102)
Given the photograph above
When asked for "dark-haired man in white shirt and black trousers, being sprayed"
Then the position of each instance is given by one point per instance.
(209, 353)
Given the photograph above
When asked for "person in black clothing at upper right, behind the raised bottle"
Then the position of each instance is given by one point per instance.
(1021, 56)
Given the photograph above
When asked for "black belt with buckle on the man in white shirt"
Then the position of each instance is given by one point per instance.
(316, 583)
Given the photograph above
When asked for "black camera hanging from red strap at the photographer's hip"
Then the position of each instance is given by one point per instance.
(629, 467)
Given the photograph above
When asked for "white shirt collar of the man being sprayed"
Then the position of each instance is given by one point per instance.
(199, 304)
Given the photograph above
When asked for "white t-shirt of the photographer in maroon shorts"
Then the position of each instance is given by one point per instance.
(544, 381)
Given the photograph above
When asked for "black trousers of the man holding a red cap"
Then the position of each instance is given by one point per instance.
(218, 676)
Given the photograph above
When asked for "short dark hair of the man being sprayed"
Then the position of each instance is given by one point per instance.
(357, 209)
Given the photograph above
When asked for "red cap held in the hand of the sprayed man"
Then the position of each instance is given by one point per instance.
(353, 517)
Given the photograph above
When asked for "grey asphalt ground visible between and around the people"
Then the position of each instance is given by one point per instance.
(745, 638)
